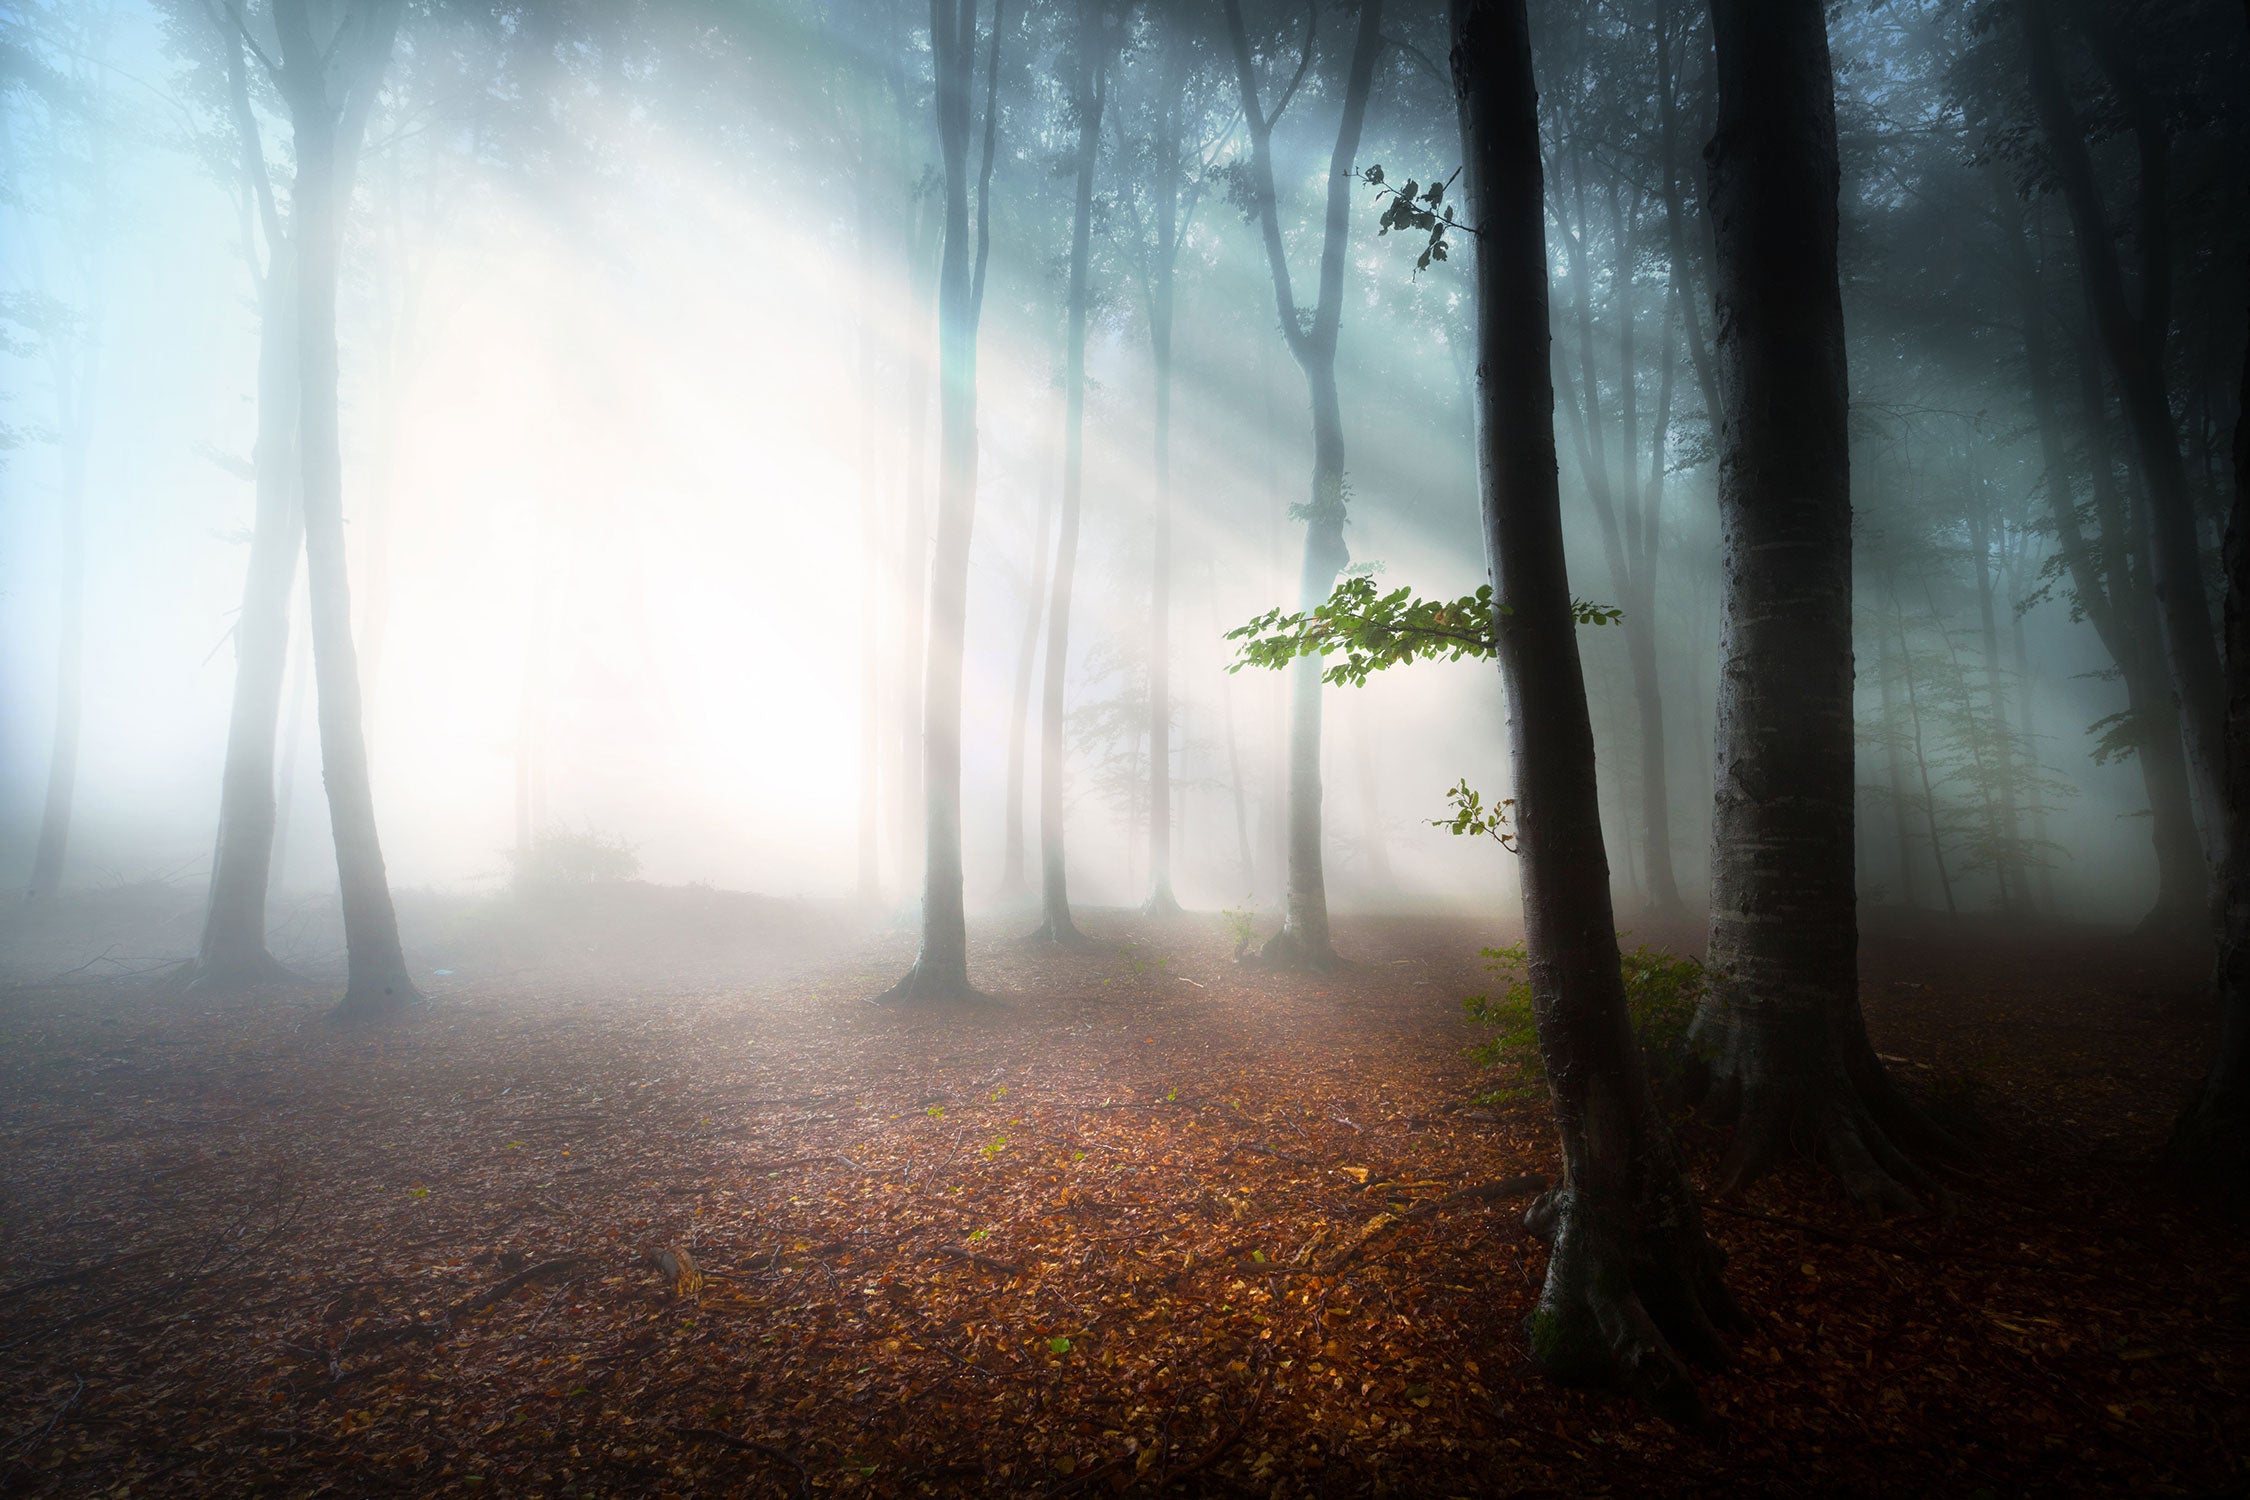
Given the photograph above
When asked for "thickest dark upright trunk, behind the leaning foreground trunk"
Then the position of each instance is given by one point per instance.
(1792, 1063)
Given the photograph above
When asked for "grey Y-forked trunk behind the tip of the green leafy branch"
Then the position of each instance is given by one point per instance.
(1313, 343)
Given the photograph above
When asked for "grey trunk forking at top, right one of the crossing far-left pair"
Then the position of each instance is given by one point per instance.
(327, 132)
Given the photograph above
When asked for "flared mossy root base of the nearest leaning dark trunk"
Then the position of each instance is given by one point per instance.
(1630, 1310)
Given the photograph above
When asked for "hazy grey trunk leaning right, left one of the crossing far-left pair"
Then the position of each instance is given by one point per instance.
(233, 948)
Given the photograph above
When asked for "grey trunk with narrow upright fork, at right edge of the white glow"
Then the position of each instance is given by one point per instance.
(942, 968)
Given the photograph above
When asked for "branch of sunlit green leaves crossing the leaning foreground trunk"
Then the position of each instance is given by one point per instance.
(1367, 631)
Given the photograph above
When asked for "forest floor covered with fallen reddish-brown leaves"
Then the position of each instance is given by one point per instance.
(1151, 1222)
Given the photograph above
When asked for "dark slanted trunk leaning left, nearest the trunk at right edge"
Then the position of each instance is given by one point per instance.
(2134, 345)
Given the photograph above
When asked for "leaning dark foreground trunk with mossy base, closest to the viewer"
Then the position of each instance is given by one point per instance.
(1632, 1281)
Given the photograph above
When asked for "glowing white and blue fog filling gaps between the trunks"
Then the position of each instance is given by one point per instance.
(640, 440)
